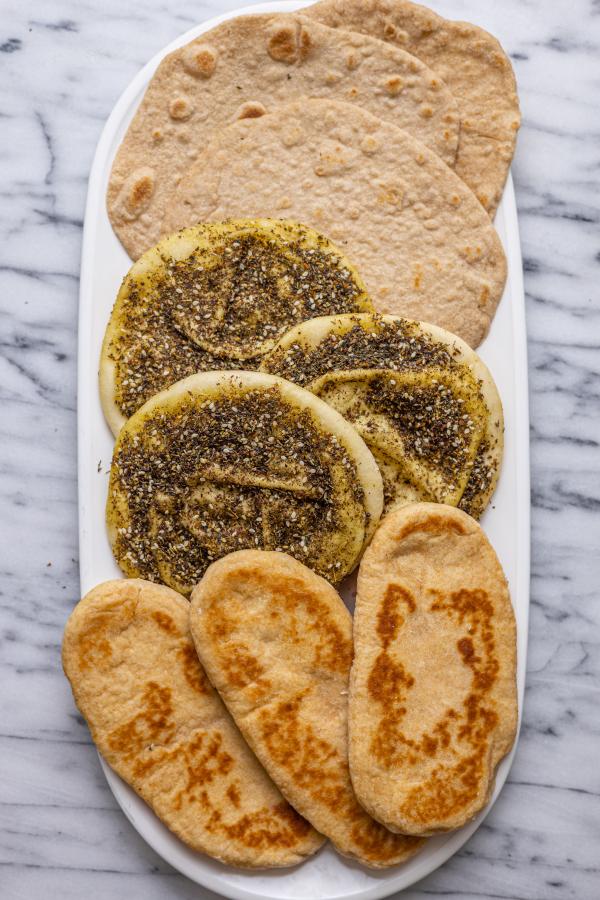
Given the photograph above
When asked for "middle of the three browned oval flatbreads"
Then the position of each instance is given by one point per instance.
(276, 641)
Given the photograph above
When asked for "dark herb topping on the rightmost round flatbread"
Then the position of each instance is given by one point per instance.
(437, 418)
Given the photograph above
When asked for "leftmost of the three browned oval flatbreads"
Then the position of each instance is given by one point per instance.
(157, 721)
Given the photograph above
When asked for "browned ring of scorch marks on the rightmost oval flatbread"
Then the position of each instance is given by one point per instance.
(450, 786)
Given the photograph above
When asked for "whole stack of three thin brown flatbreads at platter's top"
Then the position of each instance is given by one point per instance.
(385, 127)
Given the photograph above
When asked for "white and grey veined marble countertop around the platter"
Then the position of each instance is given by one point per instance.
(63, 65)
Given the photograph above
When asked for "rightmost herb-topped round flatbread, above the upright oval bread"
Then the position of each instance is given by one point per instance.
(421, 399)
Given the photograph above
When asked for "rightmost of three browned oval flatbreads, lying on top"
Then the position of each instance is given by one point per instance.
(433, 702)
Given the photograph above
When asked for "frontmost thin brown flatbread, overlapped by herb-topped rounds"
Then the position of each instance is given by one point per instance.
(422, 242)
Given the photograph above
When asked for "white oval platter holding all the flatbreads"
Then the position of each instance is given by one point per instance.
(104, 263)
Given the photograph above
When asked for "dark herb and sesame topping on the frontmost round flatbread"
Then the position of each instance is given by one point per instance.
(183, 513)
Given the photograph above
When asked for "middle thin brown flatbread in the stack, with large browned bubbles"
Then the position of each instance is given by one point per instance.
(240, 69)
